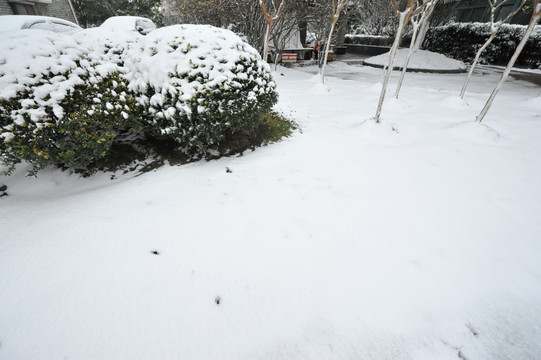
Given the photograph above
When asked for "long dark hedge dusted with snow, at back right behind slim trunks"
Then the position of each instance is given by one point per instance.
(462, 40)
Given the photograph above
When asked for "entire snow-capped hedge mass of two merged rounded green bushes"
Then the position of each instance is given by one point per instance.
(65, 99)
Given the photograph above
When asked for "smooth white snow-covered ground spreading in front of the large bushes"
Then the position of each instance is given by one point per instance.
(348, 240)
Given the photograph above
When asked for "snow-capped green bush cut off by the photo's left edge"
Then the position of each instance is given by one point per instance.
(60, 101)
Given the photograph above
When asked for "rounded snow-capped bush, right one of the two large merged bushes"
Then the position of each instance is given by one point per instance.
(198, 83)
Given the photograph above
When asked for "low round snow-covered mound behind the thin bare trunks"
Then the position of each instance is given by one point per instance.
(421, 60)
